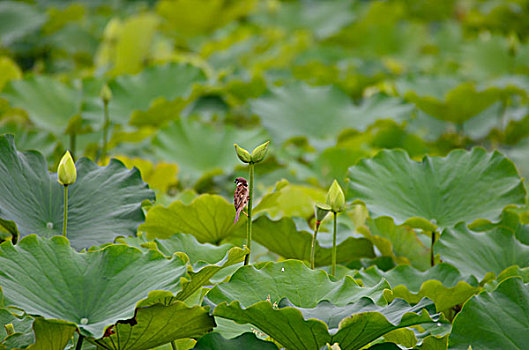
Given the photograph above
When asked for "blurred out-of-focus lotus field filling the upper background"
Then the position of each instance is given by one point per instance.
(328, 82)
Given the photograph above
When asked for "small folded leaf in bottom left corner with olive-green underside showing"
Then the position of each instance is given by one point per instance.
(36, 334)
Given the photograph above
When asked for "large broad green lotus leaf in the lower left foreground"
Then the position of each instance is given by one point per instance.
(92, 290)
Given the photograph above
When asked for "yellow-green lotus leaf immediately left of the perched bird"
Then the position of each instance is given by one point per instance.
(209, 218)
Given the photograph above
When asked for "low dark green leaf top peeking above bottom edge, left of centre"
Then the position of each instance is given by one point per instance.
(215, 341)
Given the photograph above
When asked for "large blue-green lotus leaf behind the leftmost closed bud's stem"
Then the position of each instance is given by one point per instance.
(103, 203)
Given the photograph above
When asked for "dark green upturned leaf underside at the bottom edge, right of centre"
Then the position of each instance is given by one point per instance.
(286, 326)
